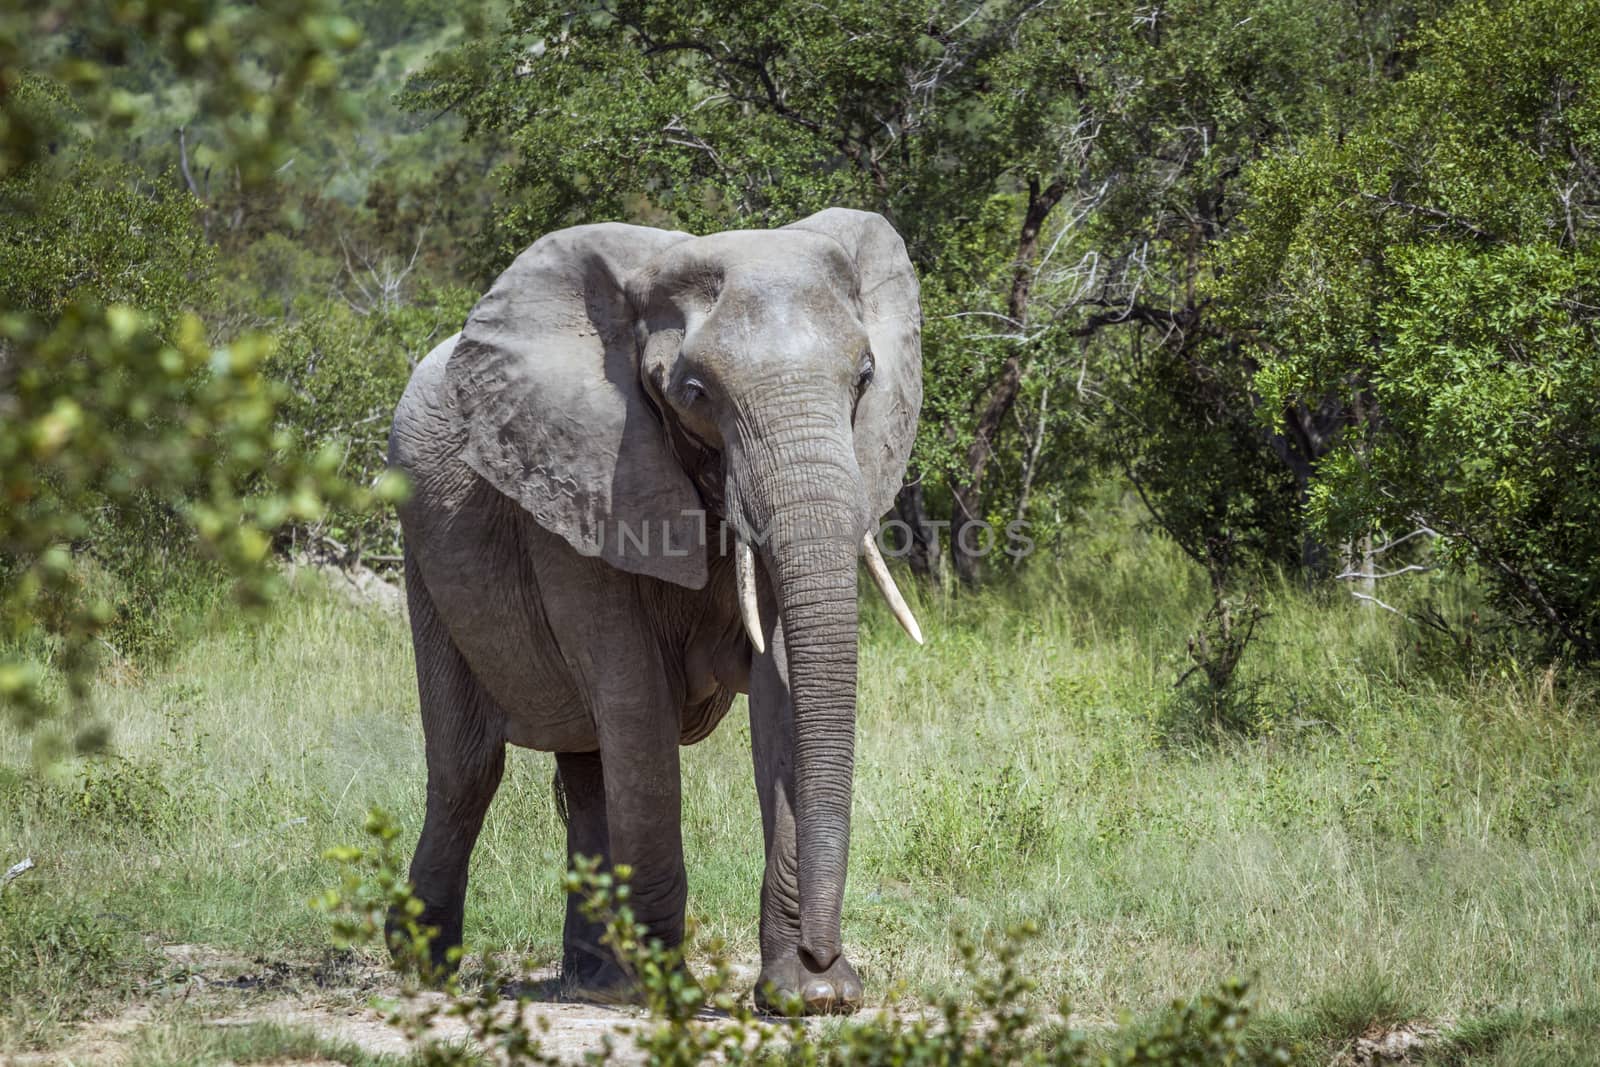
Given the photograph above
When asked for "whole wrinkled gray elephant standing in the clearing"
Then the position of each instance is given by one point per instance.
(628, 375)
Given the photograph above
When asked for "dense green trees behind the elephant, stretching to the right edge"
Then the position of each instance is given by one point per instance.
(1228, 252)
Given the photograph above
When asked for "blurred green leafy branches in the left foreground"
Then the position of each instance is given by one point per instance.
(113, 398)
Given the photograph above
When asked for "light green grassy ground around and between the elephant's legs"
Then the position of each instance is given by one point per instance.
(1401, 831)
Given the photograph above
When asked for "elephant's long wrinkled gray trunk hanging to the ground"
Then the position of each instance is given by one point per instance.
(810, 519)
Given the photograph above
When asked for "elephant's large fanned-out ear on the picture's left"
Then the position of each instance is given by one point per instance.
(546, 383)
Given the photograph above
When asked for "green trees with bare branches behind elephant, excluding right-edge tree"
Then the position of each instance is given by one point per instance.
(1057, 169)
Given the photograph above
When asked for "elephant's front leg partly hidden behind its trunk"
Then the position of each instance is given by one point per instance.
(788, 975)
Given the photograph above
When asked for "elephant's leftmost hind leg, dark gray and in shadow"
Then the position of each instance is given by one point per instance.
(465, 740)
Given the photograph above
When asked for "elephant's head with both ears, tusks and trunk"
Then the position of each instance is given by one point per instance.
(622, 382)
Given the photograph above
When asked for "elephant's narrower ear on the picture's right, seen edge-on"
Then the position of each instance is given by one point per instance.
(892, 313)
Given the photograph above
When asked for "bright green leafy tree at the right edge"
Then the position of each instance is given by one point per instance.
(1436, 273)
